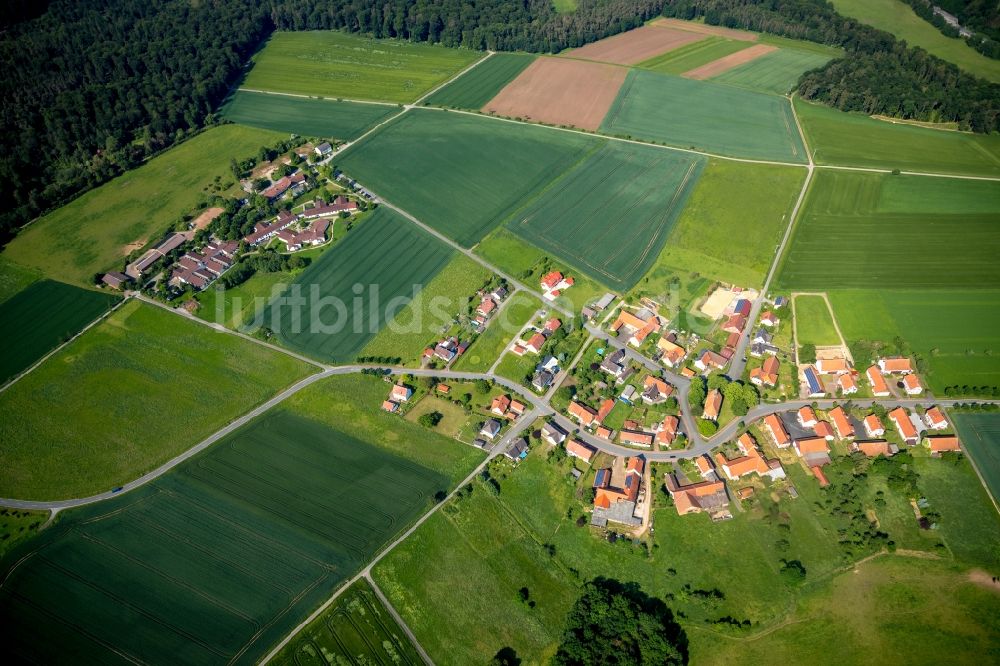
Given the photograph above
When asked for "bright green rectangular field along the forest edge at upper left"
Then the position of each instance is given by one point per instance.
(335, 64)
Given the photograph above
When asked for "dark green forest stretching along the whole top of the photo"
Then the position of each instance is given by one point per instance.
(94, 87)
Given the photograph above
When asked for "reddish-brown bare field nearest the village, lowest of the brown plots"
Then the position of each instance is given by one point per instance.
(560, 92)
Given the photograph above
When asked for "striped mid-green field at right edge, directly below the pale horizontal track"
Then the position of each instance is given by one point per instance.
(858, 230)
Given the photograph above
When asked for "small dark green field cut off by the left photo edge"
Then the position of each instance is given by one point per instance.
(43, 316)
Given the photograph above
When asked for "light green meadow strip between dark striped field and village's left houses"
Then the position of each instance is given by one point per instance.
(421, 321)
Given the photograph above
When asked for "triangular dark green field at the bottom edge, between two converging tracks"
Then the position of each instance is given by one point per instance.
(355, 627)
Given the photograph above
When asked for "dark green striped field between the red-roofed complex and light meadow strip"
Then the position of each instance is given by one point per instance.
(350, 290)
